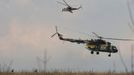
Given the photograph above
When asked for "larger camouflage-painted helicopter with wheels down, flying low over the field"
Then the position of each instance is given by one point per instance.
(94, 45)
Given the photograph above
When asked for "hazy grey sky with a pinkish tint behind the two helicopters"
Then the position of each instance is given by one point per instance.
(26, 27)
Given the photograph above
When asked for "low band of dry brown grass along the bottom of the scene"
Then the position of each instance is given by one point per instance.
(64, 73)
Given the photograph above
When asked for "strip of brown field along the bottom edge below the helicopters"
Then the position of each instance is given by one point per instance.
(64, 73)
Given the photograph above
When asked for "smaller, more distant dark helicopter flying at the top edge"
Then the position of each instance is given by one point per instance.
(68, 8)
